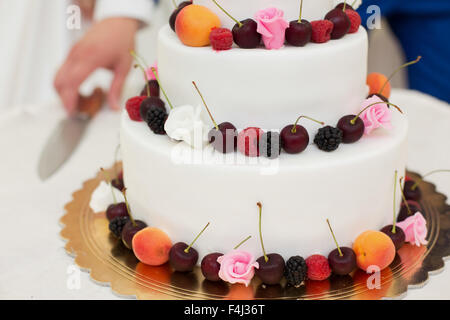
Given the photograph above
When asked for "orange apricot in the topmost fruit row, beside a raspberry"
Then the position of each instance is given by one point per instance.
(194, 24)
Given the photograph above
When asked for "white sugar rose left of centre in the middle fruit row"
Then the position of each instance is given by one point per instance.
(185, 123)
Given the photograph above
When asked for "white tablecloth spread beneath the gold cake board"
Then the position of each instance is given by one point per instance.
(33, 262)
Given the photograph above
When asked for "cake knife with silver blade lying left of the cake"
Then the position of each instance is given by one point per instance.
(67, 135)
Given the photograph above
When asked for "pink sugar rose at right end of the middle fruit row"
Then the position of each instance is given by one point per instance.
(375, 116)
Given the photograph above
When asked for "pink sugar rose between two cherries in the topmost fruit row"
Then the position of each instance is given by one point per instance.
(272, 27)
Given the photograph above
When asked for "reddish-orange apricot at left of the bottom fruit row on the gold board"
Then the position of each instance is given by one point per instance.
(151, 246)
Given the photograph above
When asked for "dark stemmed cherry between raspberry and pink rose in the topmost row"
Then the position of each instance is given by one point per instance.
(245, 33)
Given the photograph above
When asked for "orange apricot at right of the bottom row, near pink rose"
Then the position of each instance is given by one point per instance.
(373, 248)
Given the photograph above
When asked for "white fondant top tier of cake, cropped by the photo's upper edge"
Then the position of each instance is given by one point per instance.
(244, 9)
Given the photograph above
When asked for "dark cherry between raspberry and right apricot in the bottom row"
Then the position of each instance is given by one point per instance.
(342, 260)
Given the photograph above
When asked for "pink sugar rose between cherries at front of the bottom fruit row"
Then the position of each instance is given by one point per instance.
(237, 267)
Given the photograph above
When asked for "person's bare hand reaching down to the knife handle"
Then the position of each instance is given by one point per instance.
(106, 45)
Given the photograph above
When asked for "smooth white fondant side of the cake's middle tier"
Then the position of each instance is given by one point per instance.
(266, 88)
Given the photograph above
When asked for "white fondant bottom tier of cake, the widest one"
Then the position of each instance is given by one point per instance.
(179, 190)
